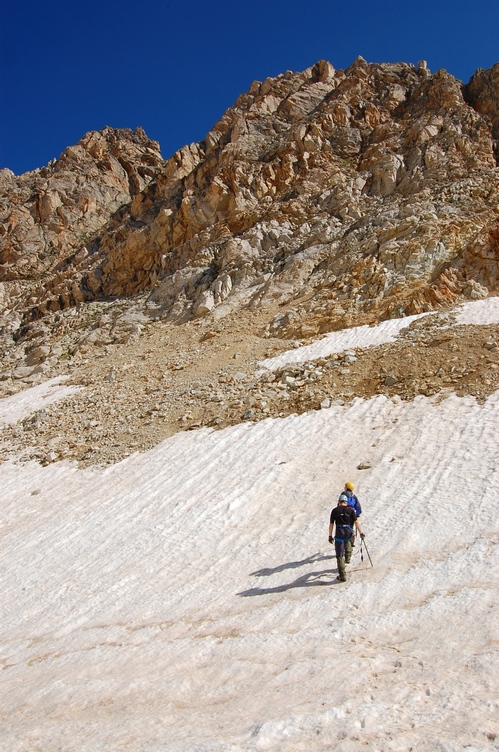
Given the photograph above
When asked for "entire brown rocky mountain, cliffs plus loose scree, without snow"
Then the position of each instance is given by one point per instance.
(320, 200)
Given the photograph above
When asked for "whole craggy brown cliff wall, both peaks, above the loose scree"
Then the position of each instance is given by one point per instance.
(345, 196)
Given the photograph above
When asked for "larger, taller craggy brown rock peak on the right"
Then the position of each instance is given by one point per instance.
(371, 190)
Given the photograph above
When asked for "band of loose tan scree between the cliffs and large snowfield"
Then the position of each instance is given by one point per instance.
(162, 378)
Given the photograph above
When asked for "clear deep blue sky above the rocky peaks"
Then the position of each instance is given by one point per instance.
(174, 67)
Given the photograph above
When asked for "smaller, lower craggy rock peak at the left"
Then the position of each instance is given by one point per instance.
(48, 214)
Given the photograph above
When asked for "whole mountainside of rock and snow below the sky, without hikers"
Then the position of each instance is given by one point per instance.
(197, 353)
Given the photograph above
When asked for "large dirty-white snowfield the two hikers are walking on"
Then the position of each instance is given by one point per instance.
(185, 599)
